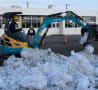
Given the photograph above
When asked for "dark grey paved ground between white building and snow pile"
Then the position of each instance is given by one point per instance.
(56, 43)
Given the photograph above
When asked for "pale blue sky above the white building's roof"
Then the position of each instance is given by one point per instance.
(73, 4)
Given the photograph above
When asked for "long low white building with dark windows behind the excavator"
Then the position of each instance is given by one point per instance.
(32, 16)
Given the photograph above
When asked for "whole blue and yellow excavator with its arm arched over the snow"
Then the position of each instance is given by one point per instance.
(13, 43)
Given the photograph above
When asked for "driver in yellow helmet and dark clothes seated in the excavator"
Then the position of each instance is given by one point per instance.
(13, 27)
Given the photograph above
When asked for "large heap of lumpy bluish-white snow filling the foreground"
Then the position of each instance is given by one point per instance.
(44, 70)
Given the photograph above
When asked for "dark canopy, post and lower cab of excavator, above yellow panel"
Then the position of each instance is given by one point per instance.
(18, 34)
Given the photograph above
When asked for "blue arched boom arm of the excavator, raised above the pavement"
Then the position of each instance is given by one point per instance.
(48, 20)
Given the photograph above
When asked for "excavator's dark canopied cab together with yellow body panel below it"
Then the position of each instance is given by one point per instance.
(15, 39)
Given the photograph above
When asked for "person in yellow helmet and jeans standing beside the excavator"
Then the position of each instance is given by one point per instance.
(30, 36)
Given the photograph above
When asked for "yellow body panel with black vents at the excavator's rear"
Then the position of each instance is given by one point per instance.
(12, 43)
